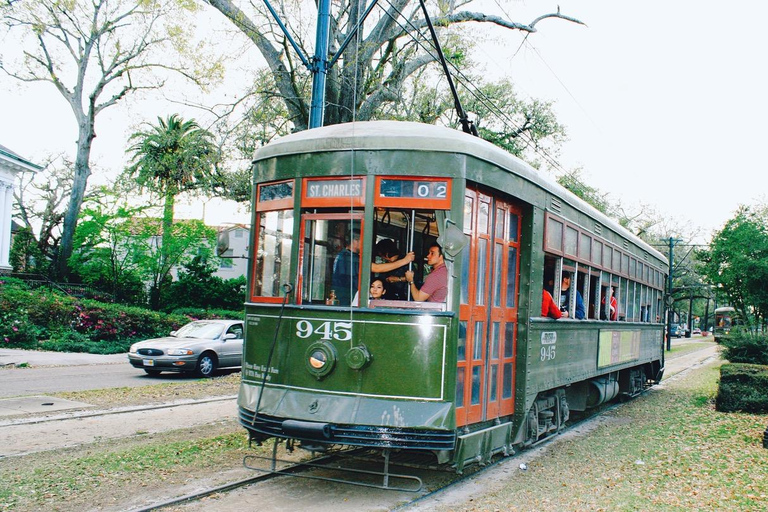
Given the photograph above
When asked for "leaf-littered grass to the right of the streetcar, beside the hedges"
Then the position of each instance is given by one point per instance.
(669, 450)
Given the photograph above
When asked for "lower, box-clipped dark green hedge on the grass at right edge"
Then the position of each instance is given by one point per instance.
(743, 388)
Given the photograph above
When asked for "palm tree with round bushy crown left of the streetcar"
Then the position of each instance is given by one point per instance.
(171, 157)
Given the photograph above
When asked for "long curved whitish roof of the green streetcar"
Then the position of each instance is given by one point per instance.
(410, 136)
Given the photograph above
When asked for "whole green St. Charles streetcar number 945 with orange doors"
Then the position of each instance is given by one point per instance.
(476, 374)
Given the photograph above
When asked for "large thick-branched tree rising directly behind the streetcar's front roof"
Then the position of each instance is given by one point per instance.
(378, 73)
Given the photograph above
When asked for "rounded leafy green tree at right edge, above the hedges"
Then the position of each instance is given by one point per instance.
(736, 262)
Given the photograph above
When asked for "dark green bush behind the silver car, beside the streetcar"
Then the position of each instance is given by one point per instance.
(197, 287)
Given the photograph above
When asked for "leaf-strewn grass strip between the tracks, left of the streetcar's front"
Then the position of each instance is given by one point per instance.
(104, 474)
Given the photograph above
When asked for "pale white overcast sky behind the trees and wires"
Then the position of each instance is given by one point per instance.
(665, 103)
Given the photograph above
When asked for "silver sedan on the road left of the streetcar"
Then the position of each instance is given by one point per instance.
(200, 347)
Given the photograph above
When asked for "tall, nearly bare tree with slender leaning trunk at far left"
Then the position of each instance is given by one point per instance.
(95, 53)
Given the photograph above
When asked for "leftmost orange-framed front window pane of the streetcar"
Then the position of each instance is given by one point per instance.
(272, 262)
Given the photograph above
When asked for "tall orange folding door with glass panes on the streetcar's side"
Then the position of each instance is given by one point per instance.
(488, 311)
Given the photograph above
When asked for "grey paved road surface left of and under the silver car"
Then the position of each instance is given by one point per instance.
(50, 372)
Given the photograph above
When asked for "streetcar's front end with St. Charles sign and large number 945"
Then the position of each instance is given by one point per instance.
(338, 350)
